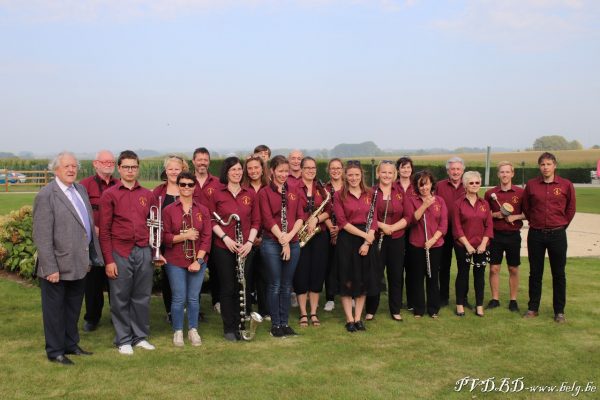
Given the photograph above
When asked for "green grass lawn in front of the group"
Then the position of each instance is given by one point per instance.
(415, 359)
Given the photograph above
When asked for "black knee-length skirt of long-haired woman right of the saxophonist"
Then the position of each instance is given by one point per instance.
(356, 275)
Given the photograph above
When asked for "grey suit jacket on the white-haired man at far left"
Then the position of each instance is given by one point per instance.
(60, 235)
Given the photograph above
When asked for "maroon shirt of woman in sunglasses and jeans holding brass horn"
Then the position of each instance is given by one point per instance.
(173, 223)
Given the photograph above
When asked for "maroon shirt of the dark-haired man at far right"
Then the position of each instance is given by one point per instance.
(549, 205)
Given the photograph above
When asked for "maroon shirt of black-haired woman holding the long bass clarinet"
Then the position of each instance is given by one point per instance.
(245, 205)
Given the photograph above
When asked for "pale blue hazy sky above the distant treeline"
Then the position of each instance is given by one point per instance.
(173, 75)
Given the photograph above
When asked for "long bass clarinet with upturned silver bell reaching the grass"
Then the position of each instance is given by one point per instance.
(254, 318)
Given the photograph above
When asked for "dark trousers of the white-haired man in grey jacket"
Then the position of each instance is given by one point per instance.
(61, 306)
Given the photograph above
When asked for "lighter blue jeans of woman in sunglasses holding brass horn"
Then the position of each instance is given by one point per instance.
(186, 287)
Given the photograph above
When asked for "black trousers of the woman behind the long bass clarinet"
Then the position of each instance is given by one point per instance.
(225, 262)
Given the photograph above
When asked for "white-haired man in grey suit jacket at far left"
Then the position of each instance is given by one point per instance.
(63, 232)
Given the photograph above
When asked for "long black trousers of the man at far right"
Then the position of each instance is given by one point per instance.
(555, 242)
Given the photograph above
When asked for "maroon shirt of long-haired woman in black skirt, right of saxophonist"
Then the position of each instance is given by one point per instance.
(352, 210)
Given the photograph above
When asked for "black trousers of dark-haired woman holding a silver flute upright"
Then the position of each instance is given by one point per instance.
(418, 273)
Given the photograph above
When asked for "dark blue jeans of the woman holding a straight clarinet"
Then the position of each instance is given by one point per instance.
(280, 275)
